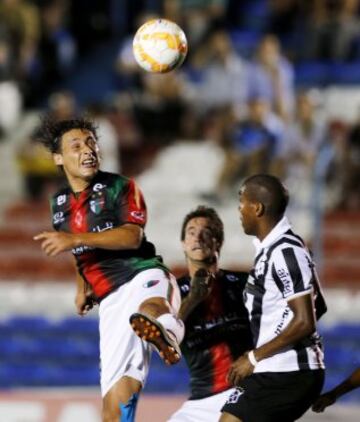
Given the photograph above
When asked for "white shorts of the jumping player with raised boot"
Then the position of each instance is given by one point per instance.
(122, 352)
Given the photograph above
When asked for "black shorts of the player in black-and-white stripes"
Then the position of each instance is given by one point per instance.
(275, 396)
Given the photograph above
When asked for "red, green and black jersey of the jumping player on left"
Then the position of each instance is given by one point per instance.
(108, 202)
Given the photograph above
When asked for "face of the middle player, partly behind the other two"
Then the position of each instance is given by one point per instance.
(199, 244)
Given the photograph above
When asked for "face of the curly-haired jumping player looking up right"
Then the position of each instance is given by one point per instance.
(79, 155)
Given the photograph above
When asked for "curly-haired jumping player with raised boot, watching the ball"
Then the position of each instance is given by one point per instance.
(101, 217)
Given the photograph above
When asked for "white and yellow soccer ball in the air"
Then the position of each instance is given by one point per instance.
(160, 46)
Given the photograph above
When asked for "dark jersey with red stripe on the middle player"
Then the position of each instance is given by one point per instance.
(217, 332)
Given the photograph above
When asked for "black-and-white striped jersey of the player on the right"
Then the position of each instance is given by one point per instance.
(283, 270)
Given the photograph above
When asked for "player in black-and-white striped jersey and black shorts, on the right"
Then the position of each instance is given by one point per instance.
(284, 373)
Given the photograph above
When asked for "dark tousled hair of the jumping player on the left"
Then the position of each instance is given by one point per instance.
(50, 131)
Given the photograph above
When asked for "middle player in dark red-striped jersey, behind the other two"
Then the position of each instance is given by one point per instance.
(216, 320)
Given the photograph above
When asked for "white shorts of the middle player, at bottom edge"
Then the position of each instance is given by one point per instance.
(202, 410)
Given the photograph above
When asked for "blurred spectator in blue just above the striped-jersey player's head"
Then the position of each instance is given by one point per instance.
(251, 146)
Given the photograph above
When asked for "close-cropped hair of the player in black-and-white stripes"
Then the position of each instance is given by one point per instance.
(270, 191)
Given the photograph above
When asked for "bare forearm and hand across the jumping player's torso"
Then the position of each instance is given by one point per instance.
(128, 236)
